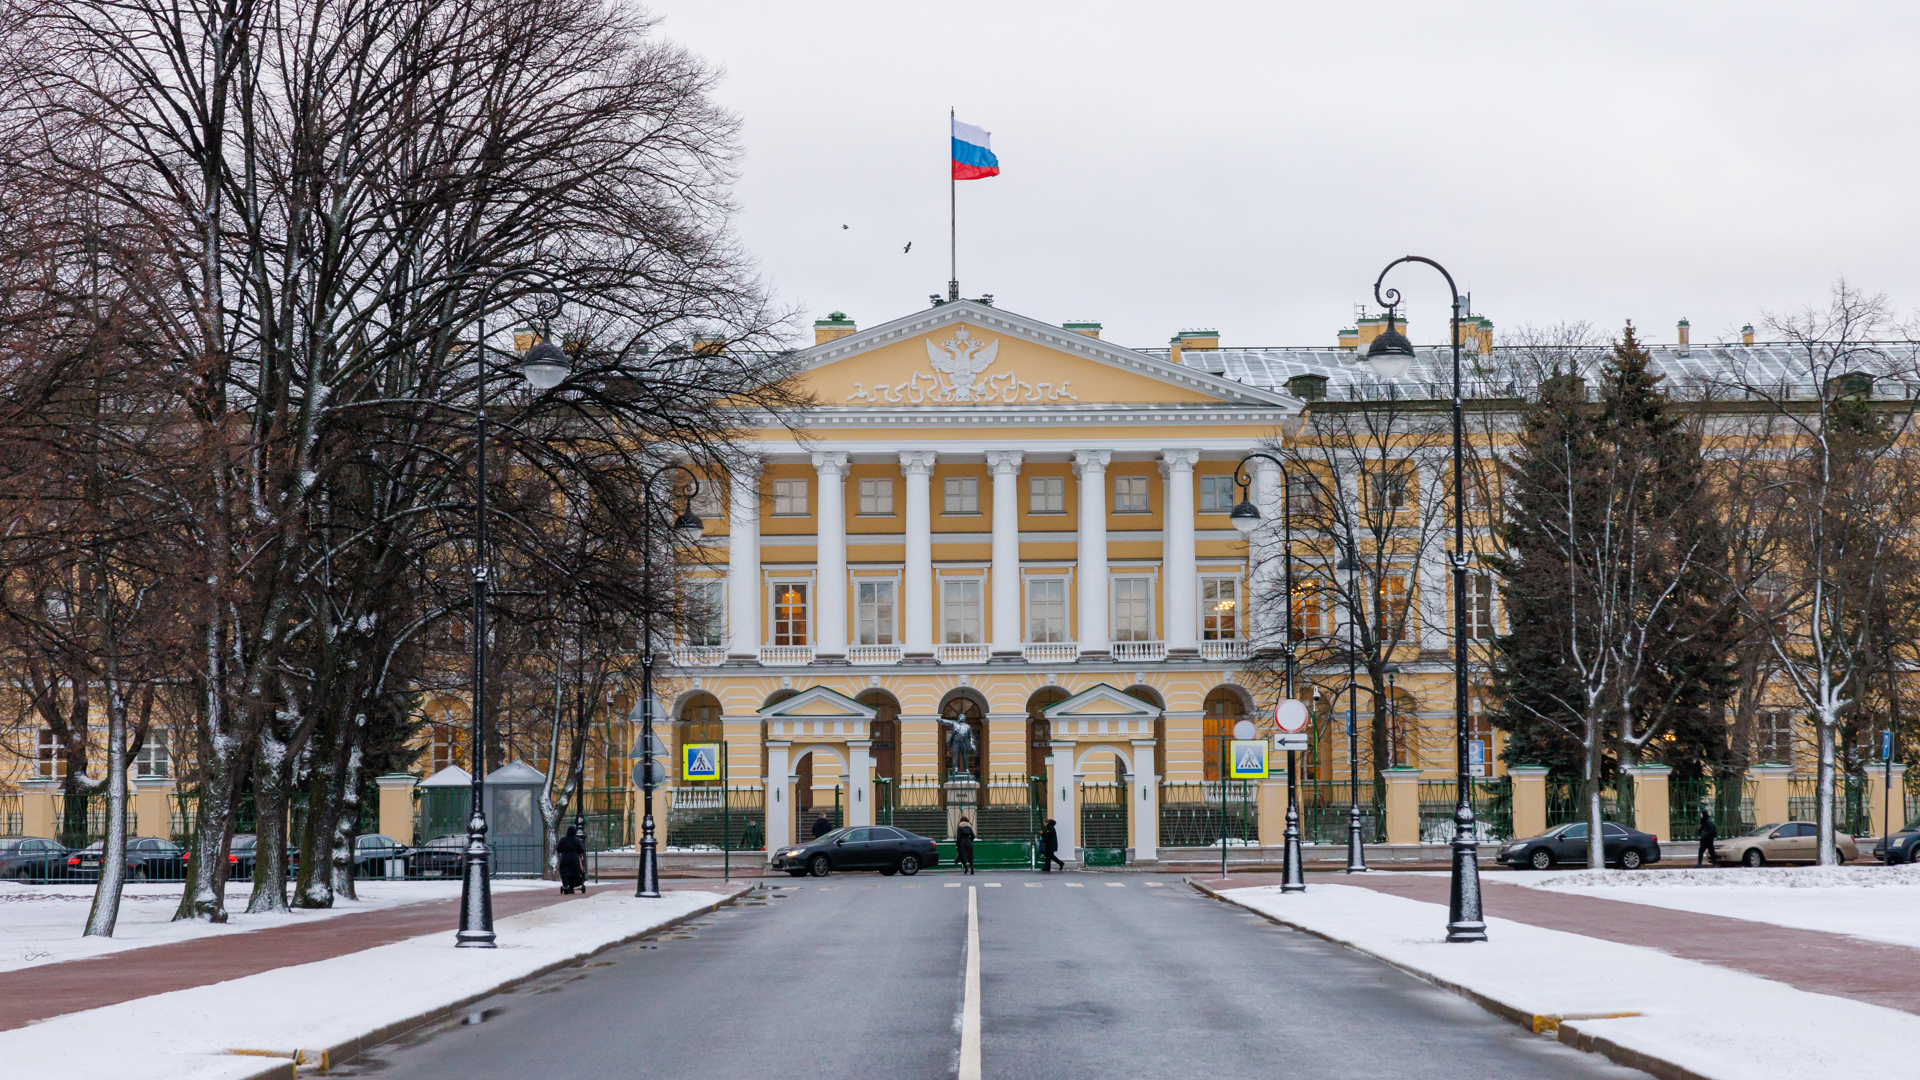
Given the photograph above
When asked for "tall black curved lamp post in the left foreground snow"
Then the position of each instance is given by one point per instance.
(544, 366)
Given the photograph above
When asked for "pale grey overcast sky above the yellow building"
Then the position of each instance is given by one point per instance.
(1253, 166)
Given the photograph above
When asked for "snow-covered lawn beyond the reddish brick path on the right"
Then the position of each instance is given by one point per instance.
(1879, 904)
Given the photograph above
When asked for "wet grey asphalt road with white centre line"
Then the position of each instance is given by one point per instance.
(1082, 977)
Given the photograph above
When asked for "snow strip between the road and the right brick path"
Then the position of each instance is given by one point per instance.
(1719, 1023)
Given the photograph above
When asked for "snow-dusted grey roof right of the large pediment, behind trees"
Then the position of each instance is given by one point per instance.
(1698, 372)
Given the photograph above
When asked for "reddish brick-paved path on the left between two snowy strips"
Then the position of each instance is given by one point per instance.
(53, 991)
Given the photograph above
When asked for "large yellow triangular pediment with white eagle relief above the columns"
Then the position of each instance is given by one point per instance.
(967, 355)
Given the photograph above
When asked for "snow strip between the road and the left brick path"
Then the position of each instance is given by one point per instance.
(189, 1035)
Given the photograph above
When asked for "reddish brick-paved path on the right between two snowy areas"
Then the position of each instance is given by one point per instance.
(1810, 960)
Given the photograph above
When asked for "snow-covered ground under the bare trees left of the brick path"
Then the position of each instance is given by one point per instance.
(43, 923)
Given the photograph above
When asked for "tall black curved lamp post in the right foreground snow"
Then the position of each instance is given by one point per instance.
(1391, 356)
